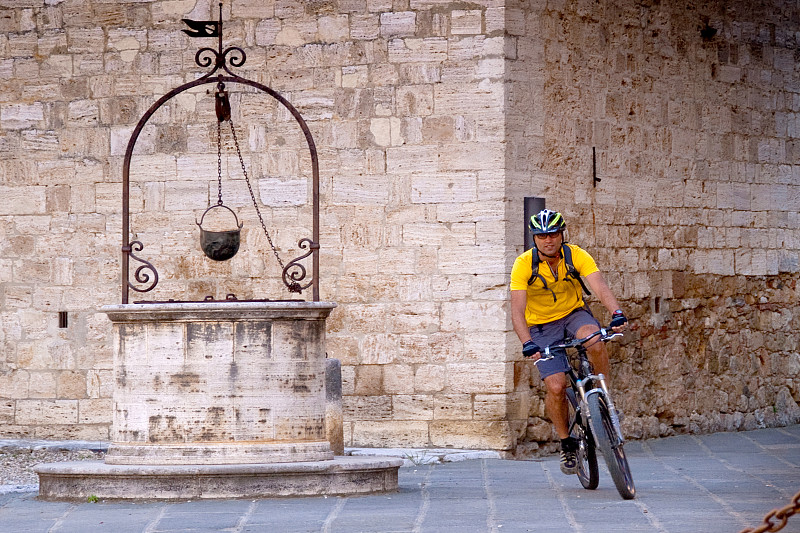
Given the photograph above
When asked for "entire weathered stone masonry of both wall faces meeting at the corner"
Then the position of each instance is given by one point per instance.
(433, 120)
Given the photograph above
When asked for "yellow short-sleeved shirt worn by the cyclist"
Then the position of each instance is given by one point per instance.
(541, 308)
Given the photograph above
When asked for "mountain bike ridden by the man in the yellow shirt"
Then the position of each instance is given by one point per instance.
(593, 419)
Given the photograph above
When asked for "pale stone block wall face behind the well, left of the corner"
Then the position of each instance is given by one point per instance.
(404, 100)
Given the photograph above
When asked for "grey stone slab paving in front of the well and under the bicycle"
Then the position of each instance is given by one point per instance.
(721, 482)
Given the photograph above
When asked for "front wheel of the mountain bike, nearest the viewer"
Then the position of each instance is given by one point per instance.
(613, 452)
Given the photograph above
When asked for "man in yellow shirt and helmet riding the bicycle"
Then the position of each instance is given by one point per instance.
(547, 305)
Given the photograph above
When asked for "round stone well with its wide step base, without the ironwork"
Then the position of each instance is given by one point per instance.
(218, 399)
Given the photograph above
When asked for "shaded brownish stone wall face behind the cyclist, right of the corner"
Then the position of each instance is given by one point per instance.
(695, 220)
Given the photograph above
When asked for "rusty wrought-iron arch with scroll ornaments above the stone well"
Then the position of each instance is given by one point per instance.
(294, 272)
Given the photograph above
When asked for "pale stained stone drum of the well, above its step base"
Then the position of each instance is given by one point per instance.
(219, 383)
